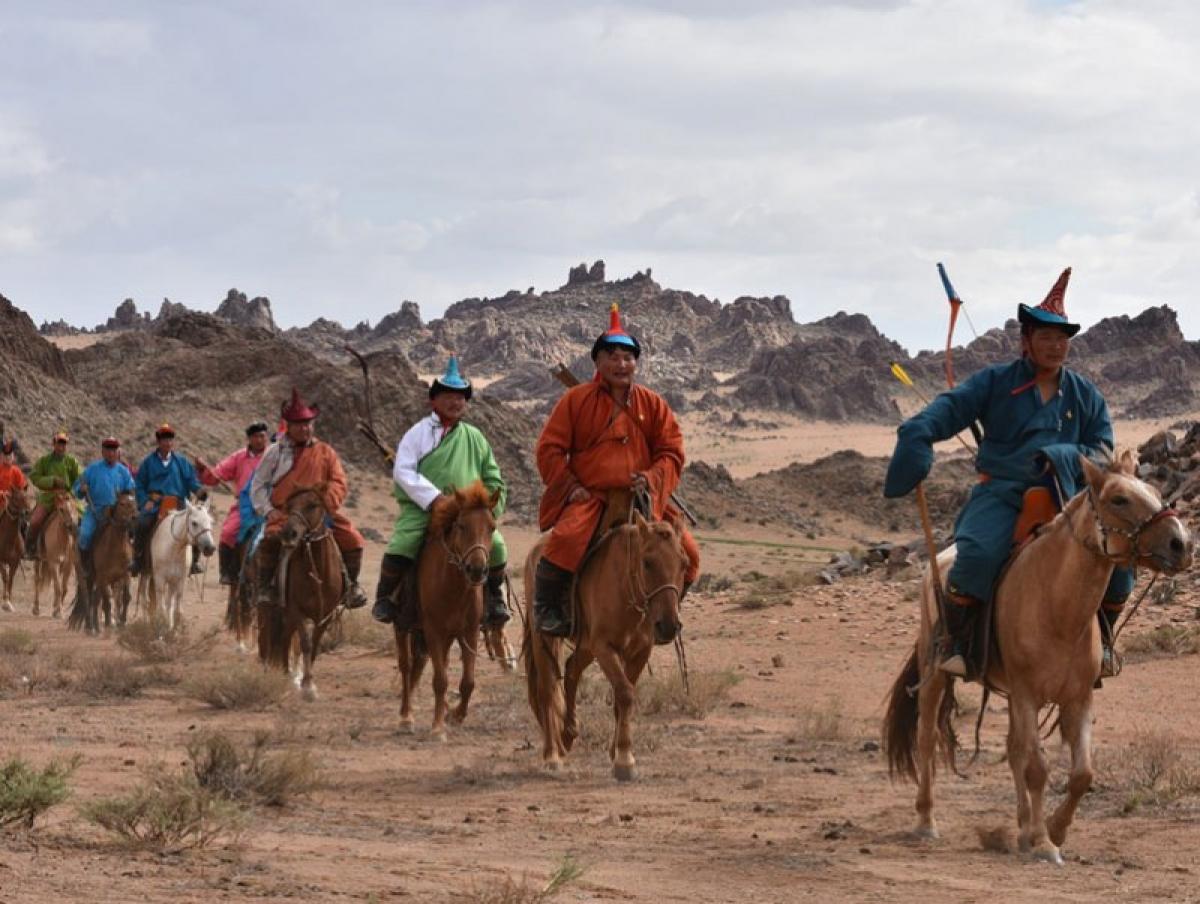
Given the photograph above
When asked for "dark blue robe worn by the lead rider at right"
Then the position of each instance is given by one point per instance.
(1022, 436)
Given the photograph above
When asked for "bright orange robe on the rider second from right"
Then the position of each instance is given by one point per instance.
(590, 442)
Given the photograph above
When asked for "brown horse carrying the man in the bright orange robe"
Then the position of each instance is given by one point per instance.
(628, 595)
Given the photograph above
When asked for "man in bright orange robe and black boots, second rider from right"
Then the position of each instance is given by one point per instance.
(605, 435)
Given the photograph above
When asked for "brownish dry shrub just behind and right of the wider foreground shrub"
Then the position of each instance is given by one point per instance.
(250, 774)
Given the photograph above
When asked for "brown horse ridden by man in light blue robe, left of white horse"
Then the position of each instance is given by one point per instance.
(111, 555)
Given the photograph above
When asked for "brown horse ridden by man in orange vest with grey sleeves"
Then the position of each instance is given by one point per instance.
(311, 586)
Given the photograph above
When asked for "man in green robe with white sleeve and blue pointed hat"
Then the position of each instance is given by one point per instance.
(437, 453)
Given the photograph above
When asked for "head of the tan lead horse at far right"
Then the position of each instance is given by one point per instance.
(1132, 524)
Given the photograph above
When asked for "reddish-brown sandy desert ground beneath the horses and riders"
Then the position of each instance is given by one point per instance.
(766, 785)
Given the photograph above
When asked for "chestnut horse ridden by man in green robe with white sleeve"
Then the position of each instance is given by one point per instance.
(452, 570)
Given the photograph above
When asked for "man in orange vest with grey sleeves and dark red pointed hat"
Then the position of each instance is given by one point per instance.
(301, 460)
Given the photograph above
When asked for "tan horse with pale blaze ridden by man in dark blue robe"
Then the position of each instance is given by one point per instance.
(1049, 648)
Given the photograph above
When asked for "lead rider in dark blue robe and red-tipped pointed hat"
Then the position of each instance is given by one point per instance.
(1039, 417)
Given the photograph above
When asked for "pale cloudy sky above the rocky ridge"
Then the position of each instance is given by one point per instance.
(341, 158)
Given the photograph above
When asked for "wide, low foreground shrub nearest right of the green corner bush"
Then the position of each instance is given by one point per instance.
(167, 813)
